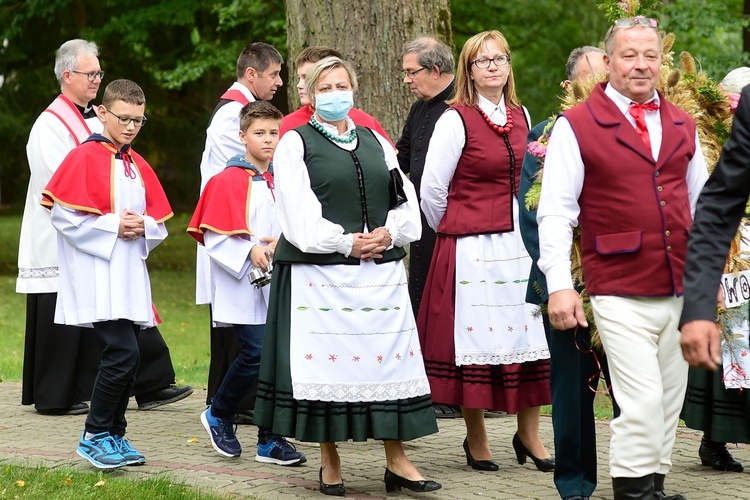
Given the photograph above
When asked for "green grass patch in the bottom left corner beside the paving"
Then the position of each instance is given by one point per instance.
(62, 484)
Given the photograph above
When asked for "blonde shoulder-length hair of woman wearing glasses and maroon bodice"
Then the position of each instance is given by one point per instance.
(466, 94)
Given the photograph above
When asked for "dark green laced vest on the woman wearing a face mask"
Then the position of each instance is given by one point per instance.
(352, 188)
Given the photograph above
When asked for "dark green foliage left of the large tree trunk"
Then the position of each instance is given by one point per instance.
(182, 52)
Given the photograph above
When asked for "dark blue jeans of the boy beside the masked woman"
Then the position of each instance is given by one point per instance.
(242, 373)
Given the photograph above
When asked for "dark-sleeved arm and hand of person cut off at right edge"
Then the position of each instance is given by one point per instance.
(720, 207)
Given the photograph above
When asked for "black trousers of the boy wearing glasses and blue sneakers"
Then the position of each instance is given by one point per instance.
(115, 378)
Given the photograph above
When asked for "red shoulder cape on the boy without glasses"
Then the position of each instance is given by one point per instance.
(225, 201)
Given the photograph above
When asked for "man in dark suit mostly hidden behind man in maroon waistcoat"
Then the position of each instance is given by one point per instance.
(574, 369)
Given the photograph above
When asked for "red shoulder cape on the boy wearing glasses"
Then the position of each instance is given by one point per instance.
(83, 183)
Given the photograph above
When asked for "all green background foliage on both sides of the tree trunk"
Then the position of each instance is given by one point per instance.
(182, 52)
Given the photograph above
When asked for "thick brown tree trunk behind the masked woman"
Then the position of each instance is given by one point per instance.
(371, 36)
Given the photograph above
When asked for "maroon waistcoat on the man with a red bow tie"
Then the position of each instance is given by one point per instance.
(635, 212)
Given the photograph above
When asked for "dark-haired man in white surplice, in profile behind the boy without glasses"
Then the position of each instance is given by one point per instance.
(258, 70)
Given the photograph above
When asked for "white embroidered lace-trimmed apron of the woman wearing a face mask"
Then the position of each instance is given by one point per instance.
(353, 335)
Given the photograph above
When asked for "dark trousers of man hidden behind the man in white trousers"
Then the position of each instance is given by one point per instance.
(573, 374)
